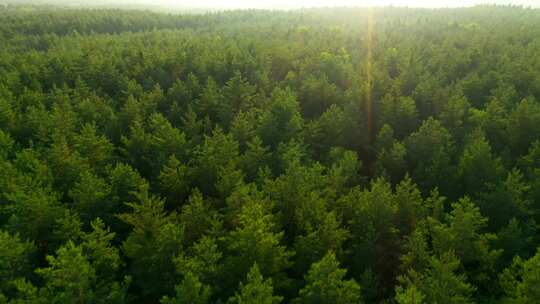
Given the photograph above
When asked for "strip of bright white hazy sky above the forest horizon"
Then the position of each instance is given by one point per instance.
(313, 3)
